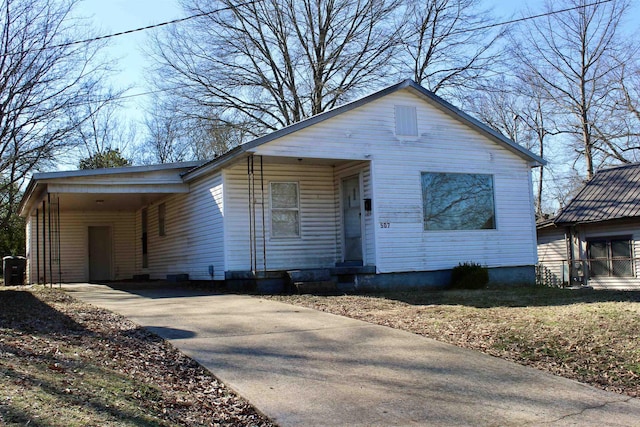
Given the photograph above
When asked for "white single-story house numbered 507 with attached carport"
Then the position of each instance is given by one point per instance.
(393, 189)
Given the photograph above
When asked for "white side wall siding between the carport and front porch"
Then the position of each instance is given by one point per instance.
(193, 238)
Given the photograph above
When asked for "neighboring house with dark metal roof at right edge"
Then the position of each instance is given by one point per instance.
(595, 239)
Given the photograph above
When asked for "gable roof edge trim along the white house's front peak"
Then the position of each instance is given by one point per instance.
(425, 94)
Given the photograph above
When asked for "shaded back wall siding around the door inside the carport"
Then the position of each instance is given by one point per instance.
(74, 241)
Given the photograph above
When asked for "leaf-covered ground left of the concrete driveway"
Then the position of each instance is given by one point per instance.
(66, 363)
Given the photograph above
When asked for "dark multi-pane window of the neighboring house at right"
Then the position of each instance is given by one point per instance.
(610, 257)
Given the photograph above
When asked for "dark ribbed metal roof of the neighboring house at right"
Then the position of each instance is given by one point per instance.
(611, 194)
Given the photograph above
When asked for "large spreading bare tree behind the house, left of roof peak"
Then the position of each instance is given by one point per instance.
(262, 65)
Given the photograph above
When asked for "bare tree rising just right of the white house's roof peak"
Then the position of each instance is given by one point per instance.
(446, 43)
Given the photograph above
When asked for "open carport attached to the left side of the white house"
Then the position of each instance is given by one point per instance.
(84, 225)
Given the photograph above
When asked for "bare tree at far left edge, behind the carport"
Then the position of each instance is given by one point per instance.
(42, 78)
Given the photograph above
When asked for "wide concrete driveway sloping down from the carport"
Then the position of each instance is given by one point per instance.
(302, 367)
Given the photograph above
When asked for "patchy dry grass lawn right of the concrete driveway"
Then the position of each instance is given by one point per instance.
(590, 336)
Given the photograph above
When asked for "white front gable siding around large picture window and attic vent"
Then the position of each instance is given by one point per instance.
(443, 145)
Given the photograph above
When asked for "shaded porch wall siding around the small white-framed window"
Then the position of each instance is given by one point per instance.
(317, 245)
